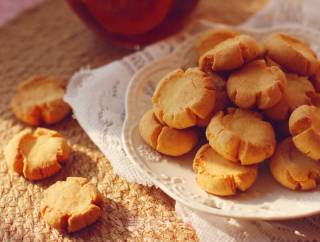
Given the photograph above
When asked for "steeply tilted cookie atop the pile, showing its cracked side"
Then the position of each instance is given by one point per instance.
(230, 54)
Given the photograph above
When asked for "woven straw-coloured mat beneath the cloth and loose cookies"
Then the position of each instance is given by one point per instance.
(50, 39)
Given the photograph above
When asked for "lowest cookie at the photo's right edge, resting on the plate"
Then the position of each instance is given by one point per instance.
(293, 169)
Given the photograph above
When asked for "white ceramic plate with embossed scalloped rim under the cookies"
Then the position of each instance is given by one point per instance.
(265, 200)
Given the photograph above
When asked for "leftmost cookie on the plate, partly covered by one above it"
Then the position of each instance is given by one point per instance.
(166, 140)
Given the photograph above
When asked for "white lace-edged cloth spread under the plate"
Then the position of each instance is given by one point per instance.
(97, 99)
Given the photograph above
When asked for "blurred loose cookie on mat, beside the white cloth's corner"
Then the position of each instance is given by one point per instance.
(39, 100)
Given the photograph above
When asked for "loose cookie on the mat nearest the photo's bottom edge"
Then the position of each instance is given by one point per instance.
(71, 205)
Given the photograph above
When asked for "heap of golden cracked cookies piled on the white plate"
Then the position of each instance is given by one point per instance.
(253, 101)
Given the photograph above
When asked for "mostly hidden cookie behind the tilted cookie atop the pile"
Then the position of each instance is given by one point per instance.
(211, 38)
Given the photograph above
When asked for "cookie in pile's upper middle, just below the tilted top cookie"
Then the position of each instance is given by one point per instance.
(256, 85)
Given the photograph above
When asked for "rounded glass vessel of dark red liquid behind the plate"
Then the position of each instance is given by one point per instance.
(134, 23)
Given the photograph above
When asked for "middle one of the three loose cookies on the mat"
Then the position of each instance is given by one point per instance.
(37, 155)
